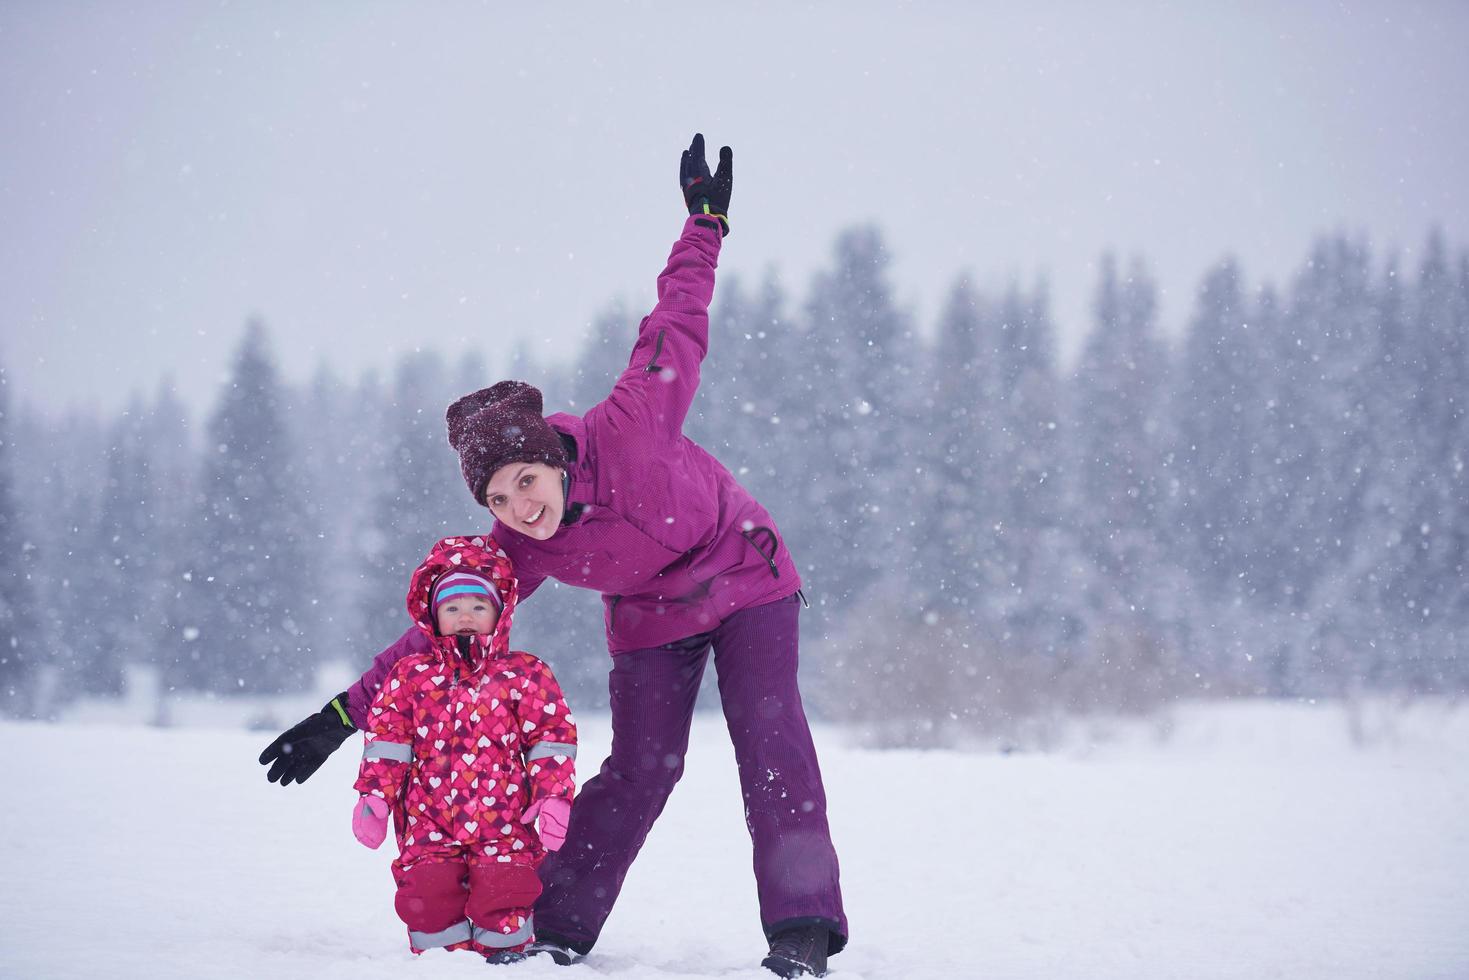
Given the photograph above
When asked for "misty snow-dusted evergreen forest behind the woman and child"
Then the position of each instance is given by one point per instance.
(1271, 502)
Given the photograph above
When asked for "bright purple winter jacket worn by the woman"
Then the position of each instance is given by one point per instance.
(654, 524)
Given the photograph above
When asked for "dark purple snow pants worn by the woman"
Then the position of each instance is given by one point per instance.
(653, 694)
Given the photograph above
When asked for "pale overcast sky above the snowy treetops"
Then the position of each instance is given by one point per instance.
(371, 179)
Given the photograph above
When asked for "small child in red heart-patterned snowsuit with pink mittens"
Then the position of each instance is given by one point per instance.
(469, 746)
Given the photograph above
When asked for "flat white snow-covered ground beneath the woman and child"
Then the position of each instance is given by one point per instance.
(1255, 841)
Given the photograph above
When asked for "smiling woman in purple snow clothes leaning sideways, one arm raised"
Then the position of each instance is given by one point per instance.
(621, 502)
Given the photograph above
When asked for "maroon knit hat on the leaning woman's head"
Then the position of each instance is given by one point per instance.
(502, 425)
